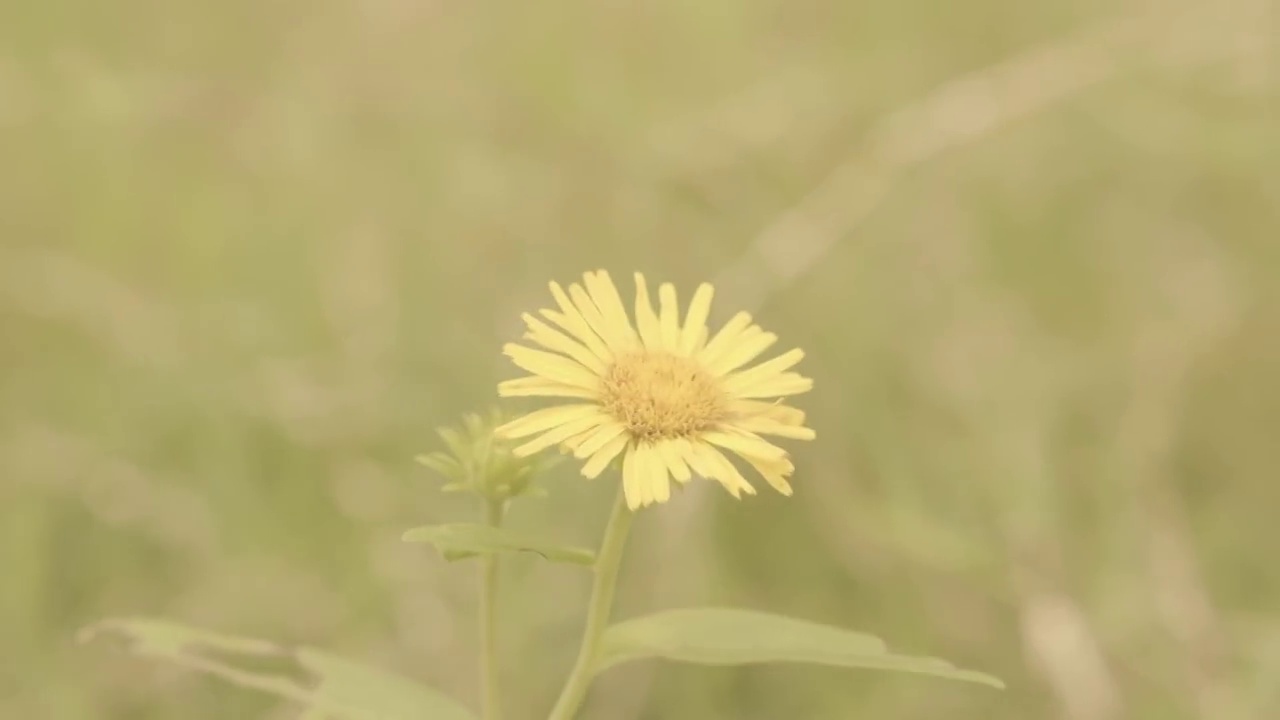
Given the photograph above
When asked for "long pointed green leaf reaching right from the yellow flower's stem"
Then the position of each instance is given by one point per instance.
(714, 636)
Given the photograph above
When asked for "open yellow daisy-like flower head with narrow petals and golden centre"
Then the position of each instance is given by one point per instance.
(659, 394)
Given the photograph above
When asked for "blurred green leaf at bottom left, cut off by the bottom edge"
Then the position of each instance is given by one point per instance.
(327, 685)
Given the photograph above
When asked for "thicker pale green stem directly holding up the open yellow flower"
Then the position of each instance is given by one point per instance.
(598, 612)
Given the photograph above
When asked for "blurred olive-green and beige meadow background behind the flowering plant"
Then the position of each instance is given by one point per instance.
(252, 254)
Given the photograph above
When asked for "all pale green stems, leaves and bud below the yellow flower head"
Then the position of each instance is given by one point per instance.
(702, 636)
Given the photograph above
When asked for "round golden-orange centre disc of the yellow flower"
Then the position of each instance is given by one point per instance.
(661, 397)
